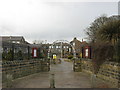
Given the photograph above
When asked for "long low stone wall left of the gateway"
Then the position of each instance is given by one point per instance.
(23, 68)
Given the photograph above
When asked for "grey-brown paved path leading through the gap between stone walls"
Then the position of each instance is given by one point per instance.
(64, 78)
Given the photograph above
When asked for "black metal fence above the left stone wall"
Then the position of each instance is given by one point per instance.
(14, 51)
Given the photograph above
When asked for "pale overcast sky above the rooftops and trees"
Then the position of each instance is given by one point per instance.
(51, 19)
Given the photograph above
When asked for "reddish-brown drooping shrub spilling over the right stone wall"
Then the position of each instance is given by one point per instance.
(101, 52)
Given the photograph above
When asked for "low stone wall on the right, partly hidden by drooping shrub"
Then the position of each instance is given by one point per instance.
(109, 72)
